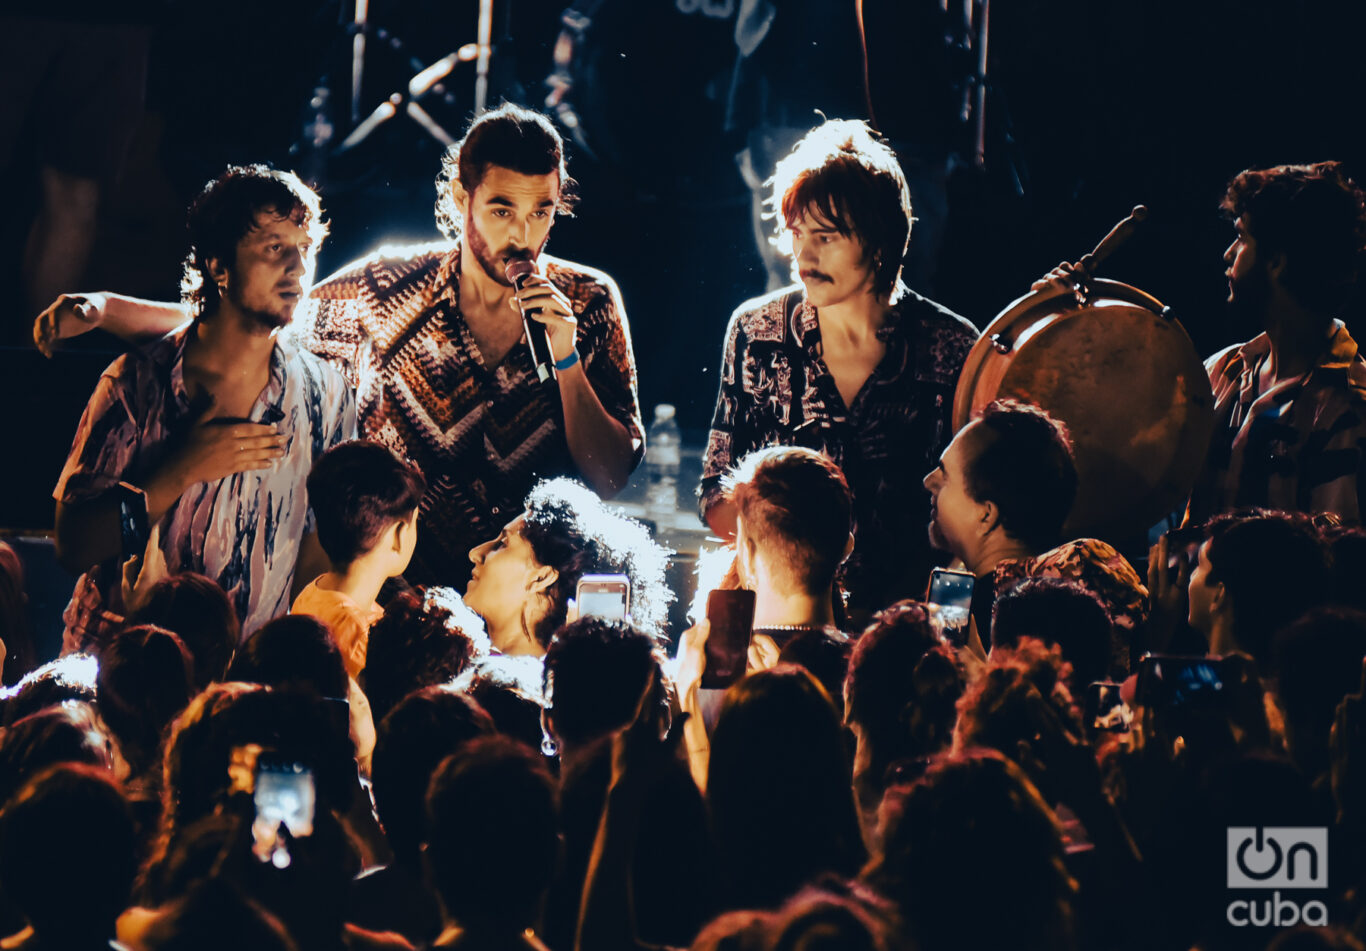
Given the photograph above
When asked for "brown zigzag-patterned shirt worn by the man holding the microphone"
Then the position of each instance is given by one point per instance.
(482, 435)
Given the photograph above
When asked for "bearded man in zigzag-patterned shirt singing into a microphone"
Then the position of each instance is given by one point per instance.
(432, 340)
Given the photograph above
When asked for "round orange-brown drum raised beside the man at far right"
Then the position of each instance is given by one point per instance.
(1125, 379)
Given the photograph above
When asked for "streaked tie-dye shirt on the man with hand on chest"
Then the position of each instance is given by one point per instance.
(244, 531)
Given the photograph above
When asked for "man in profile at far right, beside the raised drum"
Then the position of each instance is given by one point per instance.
(1290, 405)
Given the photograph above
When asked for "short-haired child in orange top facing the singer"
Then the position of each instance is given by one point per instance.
(365, 502)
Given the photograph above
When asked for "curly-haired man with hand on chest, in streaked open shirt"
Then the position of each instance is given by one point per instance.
(207, 437)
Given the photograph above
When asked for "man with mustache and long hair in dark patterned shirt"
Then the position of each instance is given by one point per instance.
(849, 363)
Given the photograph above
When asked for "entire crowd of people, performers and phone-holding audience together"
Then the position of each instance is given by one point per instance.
(331, 678)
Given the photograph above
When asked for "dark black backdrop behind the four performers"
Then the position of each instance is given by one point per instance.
(1095, 107)
